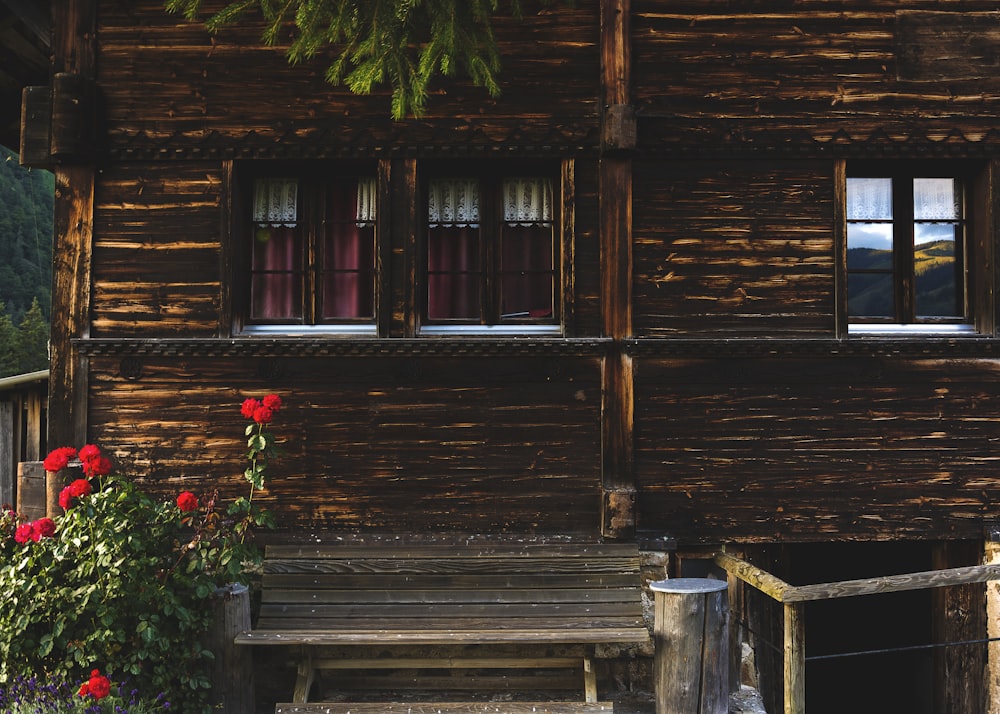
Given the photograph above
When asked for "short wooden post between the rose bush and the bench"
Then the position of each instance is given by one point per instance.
(232, 671)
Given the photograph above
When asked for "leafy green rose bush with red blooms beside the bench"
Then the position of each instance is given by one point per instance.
(123, 579)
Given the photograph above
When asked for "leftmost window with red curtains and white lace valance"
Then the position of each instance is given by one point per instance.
(311, 252)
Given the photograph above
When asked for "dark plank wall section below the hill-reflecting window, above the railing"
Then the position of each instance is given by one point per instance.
(823, 448)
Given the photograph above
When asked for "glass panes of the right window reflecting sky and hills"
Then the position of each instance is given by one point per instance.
(872, 233)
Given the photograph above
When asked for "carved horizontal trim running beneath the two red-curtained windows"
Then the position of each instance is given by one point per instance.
(295, 347)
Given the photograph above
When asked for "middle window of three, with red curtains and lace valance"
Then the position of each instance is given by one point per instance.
(491, 257)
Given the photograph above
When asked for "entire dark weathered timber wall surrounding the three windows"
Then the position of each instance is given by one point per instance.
(704, 387)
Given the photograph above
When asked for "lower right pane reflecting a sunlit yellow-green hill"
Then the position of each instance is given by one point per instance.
(935, 275)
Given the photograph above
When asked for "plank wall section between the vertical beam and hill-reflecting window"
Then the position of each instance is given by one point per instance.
(733, 249)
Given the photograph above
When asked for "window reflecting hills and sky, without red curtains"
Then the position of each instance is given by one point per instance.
(907, 250)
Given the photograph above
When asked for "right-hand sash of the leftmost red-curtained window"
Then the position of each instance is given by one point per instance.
(347, 259)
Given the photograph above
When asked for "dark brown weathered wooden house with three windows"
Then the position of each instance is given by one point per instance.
(704, 275)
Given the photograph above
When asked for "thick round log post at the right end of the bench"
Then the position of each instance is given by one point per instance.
(691, 632)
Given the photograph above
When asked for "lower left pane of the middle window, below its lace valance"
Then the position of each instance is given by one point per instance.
(453, 277)
